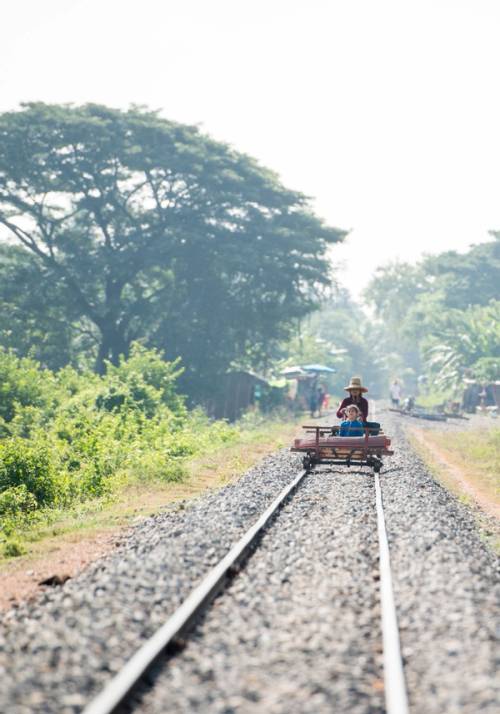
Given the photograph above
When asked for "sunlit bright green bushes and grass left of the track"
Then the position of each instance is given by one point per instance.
(77, 444)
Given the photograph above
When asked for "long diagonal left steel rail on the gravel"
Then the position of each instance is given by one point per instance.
(116, 691)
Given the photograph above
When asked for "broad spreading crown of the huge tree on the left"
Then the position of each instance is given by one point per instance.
(145, 228)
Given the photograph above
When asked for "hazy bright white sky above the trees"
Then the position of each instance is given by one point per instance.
(386, 112)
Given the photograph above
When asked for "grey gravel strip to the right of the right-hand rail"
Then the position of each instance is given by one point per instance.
(447, 590)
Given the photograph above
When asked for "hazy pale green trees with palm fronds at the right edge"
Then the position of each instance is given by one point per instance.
(441, 315)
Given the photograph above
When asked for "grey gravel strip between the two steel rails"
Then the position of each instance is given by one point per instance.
(299, 630)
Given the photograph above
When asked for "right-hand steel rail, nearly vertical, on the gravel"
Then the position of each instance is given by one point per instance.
(396, 699)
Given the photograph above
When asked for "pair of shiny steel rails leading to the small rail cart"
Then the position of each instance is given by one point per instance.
(121, 688)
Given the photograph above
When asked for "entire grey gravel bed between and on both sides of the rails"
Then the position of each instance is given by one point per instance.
(300, 625)
